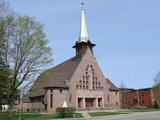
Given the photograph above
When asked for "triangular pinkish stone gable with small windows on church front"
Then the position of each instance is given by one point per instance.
(88, 74)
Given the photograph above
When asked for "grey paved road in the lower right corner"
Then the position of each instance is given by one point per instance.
(134, 116)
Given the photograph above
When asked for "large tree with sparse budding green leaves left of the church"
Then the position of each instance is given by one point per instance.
(29, 52)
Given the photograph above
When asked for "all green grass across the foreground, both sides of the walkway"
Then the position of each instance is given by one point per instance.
(38, 116)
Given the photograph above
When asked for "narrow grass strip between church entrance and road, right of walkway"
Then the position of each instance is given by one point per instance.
(96, 114)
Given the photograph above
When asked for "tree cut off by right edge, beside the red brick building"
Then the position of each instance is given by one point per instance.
(156, 88)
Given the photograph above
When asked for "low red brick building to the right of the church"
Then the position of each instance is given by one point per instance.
(132, 98)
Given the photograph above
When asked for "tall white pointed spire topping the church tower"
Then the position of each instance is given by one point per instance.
(83, 28)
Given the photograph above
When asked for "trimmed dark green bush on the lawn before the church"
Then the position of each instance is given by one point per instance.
(63, 112)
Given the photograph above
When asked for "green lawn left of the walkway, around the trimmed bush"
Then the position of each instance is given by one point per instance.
(34, 116)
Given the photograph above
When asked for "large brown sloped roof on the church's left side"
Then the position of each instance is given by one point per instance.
(55, 77)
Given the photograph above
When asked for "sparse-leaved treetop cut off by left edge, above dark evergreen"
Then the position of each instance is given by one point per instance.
(6, 30)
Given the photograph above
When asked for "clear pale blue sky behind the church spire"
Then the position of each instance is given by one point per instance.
(127, 34)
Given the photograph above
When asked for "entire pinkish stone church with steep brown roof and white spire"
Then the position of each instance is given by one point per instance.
(78, 82)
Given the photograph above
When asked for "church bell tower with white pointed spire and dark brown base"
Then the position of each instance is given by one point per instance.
(83, 43)
